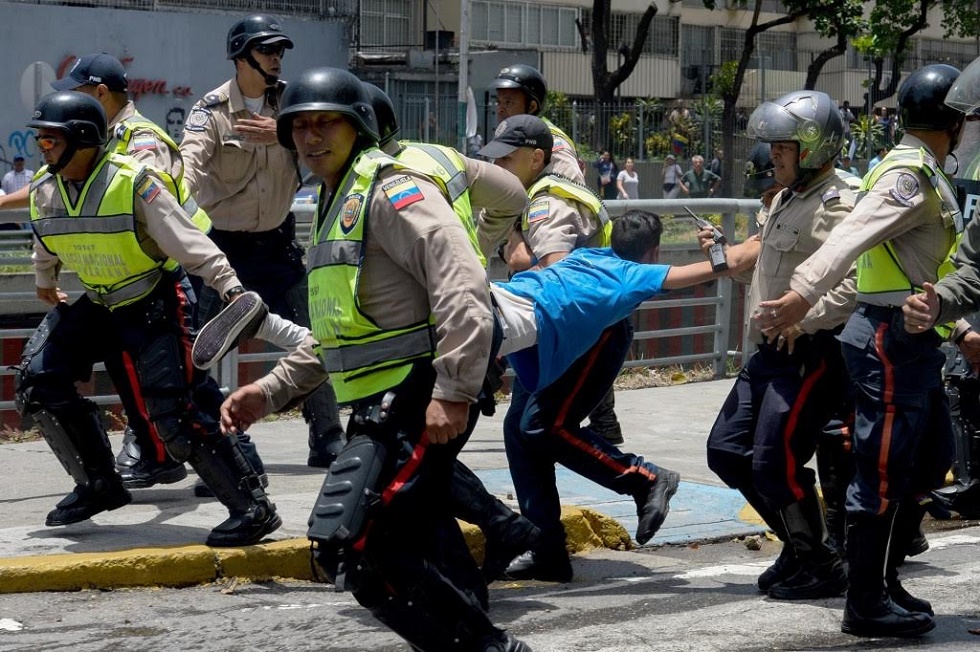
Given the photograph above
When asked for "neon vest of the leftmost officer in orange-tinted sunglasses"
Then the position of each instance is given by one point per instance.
(96, 237)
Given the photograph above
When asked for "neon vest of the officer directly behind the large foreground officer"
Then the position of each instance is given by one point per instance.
(448, 171)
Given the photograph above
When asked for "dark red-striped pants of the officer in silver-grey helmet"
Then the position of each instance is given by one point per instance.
(768, 426)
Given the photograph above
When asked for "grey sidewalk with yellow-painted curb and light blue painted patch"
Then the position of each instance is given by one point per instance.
(158, 539)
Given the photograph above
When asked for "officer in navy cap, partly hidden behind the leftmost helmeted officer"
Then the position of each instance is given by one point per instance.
(143, 460)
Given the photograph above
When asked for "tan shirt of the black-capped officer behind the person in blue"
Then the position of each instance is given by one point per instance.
(560, 225)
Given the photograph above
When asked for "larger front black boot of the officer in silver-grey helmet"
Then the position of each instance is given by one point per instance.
(820, 573)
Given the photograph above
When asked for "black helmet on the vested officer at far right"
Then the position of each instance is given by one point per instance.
(921, 99)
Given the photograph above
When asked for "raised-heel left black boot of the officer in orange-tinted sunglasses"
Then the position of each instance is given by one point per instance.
(77, 438)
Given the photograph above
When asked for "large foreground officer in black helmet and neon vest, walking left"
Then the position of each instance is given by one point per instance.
(403, 322)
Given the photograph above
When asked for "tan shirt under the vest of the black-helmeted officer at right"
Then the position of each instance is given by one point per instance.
(901, 207)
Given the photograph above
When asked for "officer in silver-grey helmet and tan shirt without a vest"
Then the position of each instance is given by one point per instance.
(767, 429)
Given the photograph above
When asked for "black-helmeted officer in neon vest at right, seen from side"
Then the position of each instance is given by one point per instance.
(901, 233)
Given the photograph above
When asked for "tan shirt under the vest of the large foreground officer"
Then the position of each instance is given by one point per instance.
(418, 261)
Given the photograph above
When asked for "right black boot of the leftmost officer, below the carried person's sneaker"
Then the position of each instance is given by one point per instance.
(220, 463)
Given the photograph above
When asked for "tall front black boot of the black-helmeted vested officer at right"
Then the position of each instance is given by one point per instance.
(869, 610)
